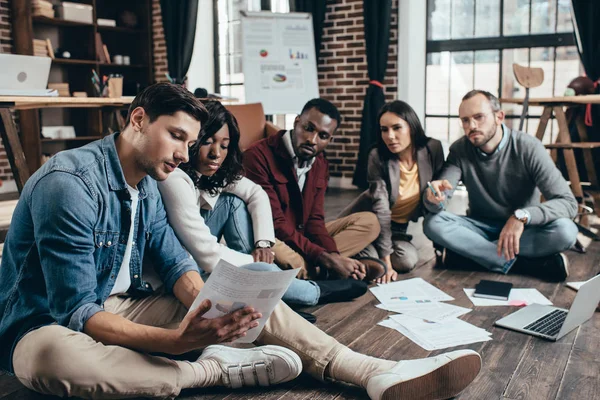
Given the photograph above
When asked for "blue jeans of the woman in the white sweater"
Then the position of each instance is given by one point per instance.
(231, 220)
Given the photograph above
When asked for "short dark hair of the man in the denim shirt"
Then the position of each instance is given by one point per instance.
(167, 99)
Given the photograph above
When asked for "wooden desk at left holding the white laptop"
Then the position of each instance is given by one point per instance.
(8, 128)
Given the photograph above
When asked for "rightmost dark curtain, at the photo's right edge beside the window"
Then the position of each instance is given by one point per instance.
(586, 16)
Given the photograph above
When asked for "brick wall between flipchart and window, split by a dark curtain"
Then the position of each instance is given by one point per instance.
(343, 77)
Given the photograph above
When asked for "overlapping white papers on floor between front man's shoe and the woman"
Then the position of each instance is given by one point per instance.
(425, 320)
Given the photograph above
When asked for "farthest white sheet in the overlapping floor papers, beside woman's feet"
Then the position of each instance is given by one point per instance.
(414, 290)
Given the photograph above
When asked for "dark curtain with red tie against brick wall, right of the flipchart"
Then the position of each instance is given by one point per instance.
(377, 37)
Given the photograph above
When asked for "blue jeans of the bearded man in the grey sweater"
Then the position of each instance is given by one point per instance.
(477, 239)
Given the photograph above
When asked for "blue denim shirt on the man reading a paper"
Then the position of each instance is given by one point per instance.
(67, 239)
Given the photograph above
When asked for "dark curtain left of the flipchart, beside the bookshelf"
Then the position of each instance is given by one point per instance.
(179, 22)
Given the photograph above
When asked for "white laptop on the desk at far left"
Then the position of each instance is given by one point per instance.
(24, 75)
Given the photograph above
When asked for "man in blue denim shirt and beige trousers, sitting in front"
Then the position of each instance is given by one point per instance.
(78, 319)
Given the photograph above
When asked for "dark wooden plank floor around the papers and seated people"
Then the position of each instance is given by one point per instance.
(515, 366)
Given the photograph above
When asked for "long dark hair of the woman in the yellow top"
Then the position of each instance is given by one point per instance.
(403, 110)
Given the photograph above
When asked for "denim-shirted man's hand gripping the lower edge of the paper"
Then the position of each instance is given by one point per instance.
(197, 332)
